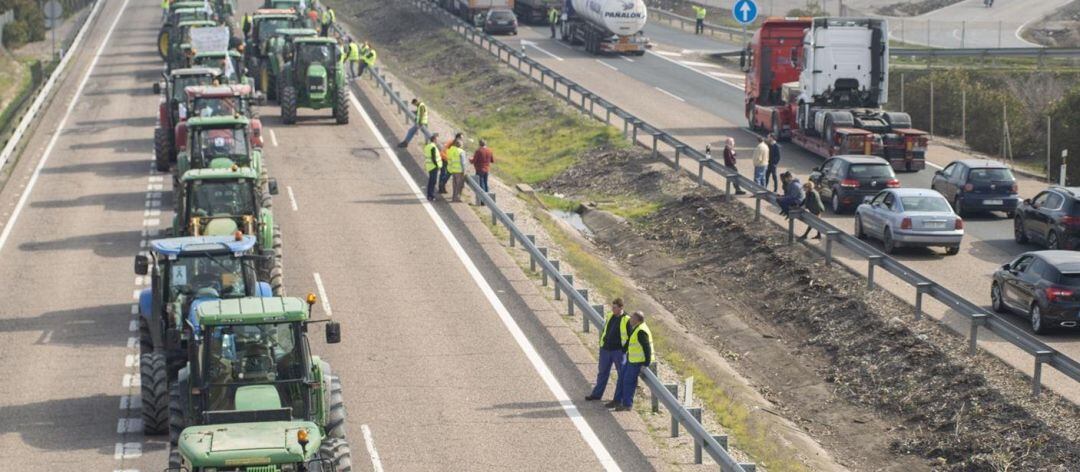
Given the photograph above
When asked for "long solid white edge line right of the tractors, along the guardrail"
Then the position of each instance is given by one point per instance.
(549, 379)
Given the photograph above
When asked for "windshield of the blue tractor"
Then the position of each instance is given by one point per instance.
(219, 276)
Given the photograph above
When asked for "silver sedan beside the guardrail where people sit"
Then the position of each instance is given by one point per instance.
(910, 218)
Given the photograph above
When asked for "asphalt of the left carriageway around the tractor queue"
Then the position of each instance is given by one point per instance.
(444, 367)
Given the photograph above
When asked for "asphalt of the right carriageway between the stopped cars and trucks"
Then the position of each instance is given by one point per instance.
(701, 104)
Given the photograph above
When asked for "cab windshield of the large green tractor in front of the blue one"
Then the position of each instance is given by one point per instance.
(251, 355)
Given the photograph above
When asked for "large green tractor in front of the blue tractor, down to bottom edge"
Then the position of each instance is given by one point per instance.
(253, 396)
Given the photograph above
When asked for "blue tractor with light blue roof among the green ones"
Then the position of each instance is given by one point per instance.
(184, 274)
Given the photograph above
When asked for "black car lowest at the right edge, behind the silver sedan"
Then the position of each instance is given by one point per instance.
(1043, 285)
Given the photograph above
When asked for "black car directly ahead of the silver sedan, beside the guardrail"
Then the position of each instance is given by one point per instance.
(846, 182)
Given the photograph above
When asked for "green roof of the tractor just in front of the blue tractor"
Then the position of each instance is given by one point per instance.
(252, 311)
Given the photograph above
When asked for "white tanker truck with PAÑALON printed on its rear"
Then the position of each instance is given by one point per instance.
(606, 26)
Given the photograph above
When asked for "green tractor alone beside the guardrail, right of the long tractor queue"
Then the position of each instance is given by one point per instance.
(315, 78)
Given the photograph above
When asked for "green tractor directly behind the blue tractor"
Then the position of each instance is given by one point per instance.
(226, 201)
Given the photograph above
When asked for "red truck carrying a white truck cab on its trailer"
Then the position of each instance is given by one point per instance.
(822, 83)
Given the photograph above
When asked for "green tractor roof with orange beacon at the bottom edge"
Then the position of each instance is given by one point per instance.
(249, 443)
